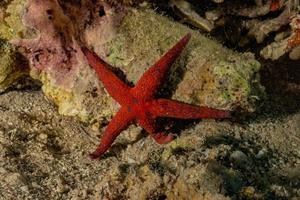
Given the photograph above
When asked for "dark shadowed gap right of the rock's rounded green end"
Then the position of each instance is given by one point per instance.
(281, 79)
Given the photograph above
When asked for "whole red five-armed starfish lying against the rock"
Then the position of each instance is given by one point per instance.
(139, 103)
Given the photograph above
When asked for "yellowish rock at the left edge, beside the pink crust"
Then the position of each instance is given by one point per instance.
(12, 67)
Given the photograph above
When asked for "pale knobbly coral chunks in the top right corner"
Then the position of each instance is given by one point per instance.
(261, 29)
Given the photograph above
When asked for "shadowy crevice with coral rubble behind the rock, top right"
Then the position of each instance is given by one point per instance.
(254, 19)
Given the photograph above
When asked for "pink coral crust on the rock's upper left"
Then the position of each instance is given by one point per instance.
(56, 50)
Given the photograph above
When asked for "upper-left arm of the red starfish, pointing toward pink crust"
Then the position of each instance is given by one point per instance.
(113, 85)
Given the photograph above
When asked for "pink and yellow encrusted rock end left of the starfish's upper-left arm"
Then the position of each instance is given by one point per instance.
(56, 59)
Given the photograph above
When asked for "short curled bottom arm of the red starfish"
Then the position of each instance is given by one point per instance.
(149, 125)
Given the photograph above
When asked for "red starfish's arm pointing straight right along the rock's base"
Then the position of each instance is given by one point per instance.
(176, 109)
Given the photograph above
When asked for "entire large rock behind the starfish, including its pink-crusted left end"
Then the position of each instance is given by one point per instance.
(207, 73)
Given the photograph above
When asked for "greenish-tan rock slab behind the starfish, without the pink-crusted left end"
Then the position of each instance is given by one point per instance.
(206, 74)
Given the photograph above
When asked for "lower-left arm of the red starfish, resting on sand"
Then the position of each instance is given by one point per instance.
(118, 123)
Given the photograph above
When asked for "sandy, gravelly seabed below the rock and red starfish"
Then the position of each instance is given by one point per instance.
(44, 156)
